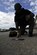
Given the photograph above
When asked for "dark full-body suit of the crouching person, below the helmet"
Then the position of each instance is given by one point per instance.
(24, 17)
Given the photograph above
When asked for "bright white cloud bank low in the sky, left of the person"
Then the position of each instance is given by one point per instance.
(7, 20)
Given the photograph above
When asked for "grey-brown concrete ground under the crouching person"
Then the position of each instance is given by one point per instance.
(10, 46)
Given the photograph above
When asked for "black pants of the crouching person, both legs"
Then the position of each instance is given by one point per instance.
(23, 25)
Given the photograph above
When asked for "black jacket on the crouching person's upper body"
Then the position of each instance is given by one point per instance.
(20, 16)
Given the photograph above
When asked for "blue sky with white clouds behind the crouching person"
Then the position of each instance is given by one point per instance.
(7, 11)
